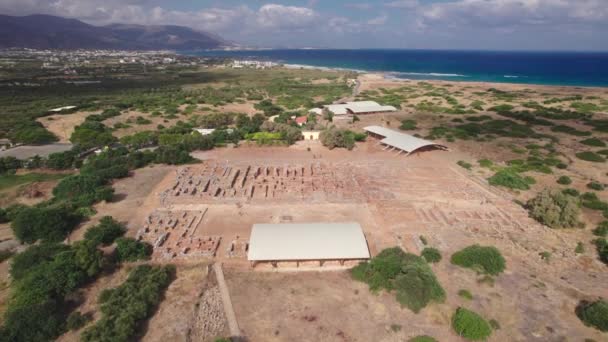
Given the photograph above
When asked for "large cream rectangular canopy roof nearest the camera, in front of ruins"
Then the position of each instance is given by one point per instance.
(307, 241)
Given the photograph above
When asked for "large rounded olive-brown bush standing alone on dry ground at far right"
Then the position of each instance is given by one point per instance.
(554, 209)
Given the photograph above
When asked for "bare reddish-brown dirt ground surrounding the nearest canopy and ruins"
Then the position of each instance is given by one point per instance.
(422, 195)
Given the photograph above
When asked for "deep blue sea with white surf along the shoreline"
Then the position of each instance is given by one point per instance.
(548, 68)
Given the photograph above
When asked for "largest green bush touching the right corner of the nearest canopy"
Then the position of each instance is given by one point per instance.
(412, 278)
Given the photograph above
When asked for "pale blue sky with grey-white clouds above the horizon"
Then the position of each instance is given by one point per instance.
(412, 24)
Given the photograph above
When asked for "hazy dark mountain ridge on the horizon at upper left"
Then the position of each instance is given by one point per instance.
(51, 32)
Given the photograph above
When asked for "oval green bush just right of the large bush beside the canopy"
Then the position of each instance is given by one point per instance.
(483, 259)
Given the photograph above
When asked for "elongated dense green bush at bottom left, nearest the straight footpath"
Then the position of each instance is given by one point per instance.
(126, 307)
